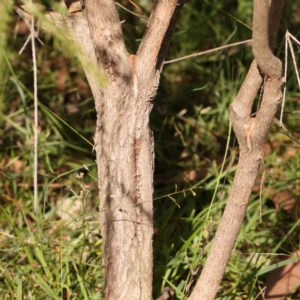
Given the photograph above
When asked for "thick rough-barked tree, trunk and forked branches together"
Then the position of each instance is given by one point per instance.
(123, 139)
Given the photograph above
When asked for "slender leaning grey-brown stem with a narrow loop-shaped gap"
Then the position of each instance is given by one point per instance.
(251, 134)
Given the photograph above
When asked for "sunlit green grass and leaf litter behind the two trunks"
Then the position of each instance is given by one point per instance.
(56, 253)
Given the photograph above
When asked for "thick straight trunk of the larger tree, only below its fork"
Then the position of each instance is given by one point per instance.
(125, 159)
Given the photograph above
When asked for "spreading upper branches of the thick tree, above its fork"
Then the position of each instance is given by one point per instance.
(105, 45)
